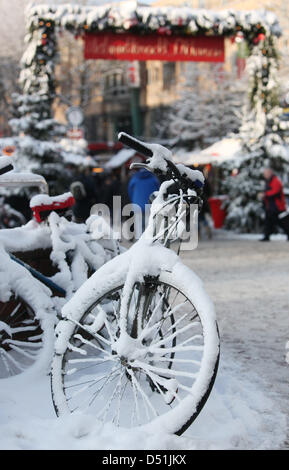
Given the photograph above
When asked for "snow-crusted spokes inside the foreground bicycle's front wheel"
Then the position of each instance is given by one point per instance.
(154, 368)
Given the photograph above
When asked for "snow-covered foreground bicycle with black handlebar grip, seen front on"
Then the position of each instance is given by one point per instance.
(139, 344)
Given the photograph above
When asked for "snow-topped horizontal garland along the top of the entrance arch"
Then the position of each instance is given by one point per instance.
(165, 20)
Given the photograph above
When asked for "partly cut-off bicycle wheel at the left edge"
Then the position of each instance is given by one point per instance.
(20, 337)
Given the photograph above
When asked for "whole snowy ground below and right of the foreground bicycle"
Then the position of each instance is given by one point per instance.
(248, 407)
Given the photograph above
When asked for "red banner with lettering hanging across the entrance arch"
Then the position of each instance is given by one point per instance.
(128, 46)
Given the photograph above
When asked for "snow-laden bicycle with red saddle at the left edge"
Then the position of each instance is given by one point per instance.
(41, 265)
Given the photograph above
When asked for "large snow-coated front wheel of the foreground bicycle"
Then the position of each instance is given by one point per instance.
(160, 373)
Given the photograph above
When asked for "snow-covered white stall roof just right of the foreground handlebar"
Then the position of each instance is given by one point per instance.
(223, 150)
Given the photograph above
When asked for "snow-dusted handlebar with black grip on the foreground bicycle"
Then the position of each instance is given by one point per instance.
(160, 159)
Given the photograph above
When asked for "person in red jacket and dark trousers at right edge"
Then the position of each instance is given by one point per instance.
(274, 203)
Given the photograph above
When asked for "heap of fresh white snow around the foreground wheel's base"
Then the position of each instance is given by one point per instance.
(238, 415)
